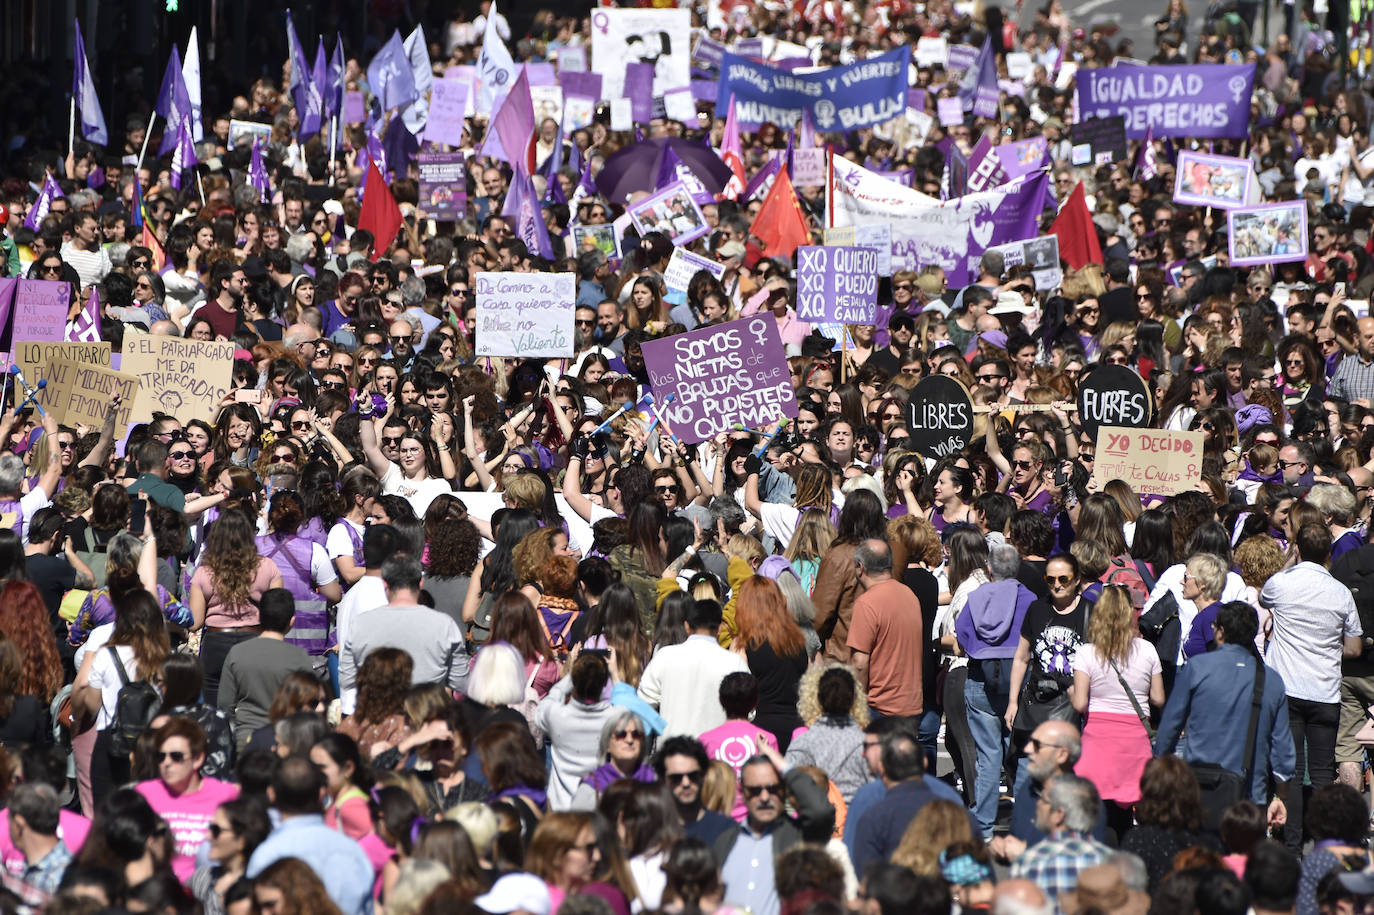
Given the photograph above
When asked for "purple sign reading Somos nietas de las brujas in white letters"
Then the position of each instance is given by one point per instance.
(734, 373)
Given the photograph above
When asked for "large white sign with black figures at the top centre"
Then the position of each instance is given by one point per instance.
(659, 38)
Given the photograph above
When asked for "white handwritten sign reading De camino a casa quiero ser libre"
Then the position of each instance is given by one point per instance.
(526, 314)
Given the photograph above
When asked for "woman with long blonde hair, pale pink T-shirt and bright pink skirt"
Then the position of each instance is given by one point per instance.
(1115, 674)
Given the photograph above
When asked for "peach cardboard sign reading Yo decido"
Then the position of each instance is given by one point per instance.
(1153, 462)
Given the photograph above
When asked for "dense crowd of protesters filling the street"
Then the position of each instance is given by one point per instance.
(407, 630)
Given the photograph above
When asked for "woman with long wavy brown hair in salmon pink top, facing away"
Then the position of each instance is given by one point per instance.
(226, 591)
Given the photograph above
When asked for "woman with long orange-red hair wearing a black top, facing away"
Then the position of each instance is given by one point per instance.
(776, 649)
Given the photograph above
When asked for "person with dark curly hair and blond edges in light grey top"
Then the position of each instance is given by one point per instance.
(835, 710)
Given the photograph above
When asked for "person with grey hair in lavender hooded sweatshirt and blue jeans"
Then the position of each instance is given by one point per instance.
(990, 635)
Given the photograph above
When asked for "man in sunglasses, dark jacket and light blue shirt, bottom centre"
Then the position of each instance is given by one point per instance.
(747, 852)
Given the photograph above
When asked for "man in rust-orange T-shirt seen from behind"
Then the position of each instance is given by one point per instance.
(886, 638)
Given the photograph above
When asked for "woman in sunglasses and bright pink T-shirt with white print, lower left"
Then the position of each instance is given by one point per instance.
(182, 795)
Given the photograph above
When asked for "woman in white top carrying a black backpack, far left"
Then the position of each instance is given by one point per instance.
(116, 684)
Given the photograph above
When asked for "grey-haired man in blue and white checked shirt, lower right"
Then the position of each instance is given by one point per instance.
(1067, 813)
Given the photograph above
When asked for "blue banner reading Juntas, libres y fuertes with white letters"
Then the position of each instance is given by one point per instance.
(846, 98)
